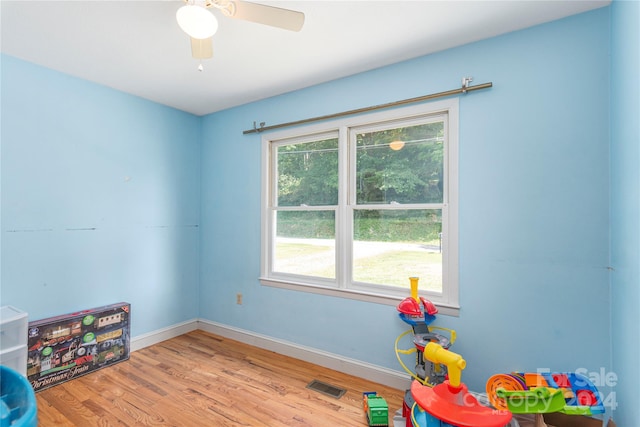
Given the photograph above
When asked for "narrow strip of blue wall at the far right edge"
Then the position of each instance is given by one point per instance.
(625, 207)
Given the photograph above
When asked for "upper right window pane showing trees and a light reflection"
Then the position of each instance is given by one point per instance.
(400, 165)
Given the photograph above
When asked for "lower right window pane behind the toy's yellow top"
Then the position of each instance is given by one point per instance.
(392, 245)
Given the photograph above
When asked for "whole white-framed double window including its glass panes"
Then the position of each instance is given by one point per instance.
(356, 206)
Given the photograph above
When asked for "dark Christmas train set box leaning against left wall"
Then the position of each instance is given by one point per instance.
(64, 347)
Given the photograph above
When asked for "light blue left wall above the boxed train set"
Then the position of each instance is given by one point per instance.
(100, 200)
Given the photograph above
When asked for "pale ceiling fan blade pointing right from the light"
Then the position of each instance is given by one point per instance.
(268, 15)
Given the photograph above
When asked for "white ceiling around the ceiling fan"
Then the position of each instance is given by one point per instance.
(137, 46)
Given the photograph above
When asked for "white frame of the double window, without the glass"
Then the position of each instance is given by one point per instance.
(447, 301)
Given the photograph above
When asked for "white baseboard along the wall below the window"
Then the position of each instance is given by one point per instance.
(379, 374)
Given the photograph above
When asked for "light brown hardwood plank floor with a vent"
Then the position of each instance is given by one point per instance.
(200, 379)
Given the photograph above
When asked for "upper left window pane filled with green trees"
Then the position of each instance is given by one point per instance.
(308, 173)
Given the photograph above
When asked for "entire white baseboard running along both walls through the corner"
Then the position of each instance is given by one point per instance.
(396, 379)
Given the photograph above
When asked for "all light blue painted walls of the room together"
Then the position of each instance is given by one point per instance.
(107, 197)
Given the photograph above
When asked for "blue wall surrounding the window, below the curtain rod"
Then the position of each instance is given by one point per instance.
(534, 217)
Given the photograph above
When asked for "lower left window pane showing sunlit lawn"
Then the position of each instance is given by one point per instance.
(305, 243)
